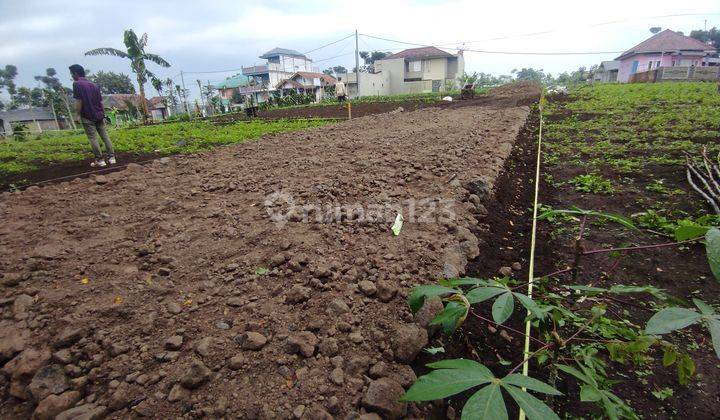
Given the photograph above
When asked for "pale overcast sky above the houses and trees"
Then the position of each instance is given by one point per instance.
(200, 36)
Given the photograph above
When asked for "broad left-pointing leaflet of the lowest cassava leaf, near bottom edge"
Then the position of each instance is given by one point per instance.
(443, 383)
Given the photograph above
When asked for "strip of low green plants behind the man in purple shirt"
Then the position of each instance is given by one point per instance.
(182, 137)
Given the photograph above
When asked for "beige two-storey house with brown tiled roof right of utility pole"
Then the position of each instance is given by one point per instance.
(414, 70)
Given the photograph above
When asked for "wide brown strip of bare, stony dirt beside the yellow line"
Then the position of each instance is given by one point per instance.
(145, 290)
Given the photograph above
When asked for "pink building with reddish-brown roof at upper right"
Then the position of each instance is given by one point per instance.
(664, 49)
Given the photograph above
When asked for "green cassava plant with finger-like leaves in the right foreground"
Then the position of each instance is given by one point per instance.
(576, 331)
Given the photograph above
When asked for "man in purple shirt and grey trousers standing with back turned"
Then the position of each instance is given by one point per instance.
(89, 111)
